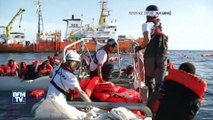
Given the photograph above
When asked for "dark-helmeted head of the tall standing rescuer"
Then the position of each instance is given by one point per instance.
(151, 13)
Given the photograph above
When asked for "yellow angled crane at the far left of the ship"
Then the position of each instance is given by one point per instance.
(8, 28)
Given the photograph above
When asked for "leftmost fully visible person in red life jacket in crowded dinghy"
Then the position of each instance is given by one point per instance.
(11, 69)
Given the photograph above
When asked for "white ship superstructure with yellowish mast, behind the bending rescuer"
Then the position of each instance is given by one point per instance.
(103, 31)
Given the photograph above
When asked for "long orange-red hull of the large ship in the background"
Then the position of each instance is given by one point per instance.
(50, 46)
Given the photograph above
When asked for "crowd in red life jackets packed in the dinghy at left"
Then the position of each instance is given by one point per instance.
(27, 71)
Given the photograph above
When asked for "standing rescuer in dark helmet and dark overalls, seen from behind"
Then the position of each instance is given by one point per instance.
(155, 55)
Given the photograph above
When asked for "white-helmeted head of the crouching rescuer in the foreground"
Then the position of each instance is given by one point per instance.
(73, 60)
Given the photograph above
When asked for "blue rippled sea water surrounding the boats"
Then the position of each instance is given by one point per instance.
(204, 70)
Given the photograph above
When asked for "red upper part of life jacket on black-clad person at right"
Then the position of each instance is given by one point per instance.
(190, 81)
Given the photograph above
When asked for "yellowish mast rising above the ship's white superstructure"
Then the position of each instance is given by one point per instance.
(104, 13)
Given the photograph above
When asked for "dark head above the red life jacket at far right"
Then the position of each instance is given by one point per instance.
(187, 67)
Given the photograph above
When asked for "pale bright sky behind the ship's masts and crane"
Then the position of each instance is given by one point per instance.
(189, 26)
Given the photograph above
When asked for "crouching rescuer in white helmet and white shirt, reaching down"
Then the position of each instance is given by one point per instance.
(62, 85)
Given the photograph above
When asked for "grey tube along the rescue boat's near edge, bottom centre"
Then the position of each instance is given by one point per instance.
(110, 105)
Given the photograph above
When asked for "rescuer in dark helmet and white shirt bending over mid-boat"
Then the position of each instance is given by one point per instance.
(100, 64)
